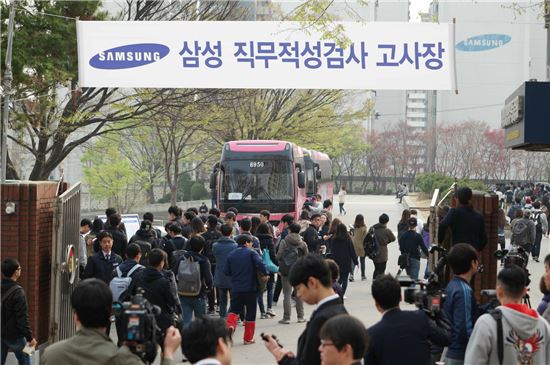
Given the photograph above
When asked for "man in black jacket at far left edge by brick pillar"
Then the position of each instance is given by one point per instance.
(16, 331)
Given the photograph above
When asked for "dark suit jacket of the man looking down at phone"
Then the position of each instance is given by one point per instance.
(309, 341)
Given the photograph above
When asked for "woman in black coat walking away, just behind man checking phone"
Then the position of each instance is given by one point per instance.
(342, 251)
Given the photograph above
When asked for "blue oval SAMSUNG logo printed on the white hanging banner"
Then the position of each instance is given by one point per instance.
(129, 56)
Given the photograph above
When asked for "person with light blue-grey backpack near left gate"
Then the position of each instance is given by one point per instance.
(121, 282)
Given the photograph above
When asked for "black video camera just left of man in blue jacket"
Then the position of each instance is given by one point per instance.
(430, 296)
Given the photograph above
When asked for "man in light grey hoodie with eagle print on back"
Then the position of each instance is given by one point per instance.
(525, 335)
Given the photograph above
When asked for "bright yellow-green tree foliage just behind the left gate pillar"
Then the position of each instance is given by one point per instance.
(111, 176)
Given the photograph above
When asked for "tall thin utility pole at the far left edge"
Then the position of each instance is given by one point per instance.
(7, 92)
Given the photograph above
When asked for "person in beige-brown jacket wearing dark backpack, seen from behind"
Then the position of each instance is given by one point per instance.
(291, 248)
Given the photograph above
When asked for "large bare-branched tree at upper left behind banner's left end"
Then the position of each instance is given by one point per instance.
(51, 114)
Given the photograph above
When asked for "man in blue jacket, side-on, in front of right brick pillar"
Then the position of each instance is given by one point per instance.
(460, 305)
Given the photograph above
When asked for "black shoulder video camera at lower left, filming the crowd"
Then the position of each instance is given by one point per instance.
(140, 331)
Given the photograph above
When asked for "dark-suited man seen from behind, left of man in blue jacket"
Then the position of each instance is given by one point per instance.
(401, 337)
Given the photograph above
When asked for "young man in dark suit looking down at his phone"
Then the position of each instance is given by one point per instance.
(311, 277)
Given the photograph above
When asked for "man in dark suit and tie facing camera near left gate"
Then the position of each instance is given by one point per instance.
(102, 264)
